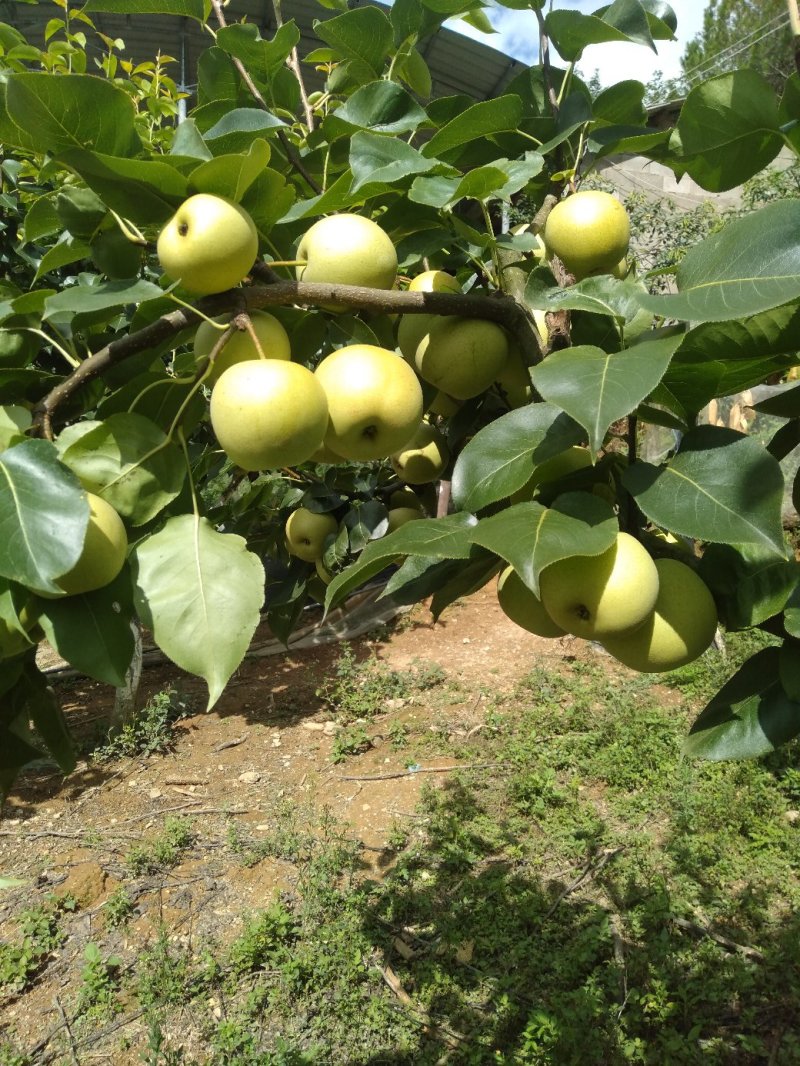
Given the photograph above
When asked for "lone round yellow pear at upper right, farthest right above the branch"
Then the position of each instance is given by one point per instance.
(589, 232)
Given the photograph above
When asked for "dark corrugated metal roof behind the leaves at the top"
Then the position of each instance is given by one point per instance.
(458, 64)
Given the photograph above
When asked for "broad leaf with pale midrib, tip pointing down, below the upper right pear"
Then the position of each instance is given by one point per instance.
(598, 387)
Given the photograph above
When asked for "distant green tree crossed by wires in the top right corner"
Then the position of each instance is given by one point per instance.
(740, 34)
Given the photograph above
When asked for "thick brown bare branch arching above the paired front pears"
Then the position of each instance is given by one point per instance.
(502, 310)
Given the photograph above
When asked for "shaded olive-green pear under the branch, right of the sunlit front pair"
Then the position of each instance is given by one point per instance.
(462, 357)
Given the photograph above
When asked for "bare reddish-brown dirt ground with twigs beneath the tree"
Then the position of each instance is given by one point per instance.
(268, 745)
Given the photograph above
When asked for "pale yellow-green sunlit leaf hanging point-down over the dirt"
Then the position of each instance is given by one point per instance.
(200, 593)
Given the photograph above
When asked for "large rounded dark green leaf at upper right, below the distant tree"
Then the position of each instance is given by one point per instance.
(729, 130)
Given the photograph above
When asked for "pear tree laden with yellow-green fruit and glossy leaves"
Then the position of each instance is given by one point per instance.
(207, 325)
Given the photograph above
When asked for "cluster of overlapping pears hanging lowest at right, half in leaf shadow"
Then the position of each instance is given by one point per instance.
(652, 616)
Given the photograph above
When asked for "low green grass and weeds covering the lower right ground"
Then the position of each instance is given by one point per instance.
(593, 898)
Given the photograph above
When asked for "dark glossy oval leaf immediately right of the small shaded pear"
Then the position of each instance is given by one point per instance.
(502, 457)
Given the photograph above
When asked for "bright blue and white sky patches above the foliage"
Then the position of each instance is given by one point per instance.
(518, 37)
